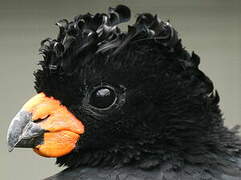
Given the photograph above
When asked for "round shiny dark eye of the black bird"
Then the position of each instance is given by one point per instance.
(103, 97)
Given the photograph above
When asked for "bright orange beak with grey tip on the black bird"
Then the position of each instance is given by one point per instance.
(46, 126)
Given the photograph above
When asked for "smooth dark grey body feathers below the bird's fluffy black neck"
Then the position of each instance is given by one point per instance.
(188, 173)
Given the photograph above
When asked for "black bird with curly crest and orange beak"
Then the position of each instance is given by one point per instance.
(114, 104)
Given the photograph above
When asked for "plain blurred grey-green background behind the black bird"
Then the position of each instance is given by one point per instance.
(212, 28)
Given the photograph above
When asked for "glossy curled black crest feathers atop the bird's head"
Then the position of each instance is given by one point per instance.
(89, 34)
